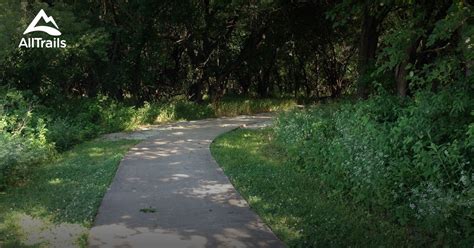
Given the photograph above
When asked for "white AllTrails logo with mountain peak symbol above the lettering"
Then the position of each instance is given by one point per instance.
(40, 42)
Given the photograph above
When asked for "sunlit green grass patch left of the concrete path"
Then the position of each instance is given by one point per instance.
(62, 196)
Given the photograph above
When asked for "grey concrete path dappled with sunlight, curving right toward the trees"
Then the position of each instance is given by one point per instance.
(169, 192)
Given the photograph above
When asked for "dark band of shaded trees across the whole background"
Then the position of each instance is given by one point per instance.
(147, 50)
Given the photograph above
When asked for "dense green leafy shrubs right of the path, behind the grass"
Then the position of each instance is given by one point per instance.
(408, 160)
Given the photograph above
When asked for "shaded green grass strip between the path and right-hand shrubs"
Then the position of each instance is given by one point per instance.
(292, 203)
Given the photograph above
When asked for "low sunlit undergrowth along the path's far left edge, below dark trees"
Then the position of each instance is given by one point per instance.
(31, 132)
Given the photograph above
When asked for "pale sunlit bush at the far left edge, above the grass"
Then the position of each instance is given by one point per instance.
(23, 141)
